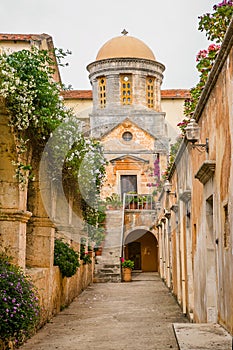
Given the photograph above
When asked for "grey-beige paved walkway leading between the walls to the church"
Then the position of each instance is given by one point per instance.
(115, 316)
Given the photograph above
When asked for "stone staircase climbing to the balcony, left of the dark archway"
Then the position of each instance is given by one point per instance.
(108, 267)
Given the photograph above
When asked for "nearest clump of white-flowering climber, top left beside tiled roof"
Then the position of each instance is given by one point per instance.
(32, 99)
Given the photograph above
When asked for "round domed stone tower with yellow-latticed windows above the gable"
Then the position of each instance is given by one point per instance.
(126, 81)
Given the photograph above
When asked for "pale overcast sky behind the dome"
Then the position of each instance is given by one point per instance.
(168, 27)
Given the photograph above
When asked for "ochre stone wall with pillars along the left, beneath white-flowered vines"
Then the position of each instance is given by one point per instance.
(30, 220)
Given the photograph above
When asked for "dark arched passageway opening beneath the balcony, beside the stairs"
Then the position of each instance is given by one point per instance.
(142, 247)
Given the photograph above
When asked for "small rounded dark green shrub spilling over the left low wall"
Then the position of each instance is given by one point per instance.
(66, 258)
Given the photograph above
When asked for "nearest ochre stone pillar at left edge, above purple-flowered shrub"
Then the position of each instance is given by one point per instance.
(13, 213)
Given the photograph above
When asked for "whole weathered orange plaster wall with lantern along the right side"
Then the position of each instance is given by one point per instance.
(200, 220)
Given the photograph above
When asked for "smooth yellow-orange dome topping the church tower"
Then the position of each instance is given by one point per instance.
(125, 46)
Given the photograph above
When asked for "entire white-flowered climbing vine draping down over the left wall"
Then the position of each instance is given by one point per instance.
(37, 114)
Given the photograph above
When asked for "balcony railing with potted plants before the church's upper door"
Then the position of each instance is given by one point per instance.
(138, 202)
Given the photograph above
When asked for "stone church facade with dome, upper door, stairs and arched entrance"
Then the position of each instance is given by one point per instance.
(127, 118)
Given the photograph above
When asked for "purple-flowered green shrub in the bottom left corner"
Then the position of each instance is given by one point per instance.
(19, 303)
